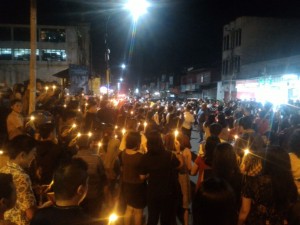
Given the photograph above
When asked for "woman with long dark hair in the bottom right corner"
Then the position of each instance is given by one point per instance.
(267, 198)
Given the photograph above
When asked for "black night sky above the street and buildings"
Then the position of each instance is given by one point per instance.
(174, 35)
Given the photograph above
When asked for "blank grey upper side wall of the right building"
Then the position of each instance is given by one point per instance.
(262, 39)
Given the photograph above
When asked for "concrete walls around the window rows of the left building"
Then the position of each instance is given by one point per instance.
(77, 47)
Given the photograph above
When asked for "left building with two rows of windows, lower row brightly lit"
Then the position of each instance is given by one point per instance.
(57, 48)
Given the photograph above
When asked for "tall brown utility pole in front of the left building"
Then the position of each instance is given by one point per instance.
(32, 74)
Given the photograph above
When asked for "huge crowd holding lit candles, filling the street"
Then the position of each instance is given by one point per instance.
(79, 158)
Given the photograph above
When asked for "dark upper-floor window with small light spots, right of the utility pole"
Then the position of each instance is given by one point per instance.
(52, 35)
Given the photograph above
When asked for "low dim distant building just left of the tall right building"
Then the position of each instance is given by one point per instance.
(200, 83)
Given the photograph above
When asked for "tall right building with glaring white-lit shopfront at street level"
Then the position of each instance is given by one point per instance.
(259, 50)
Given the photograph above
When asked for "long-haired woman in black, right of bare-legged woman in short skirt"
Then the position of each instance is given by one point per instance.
(159, 167)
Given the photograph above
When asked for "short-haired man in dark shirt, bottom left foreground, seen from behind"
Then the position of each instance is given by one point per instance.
(70, 188)
